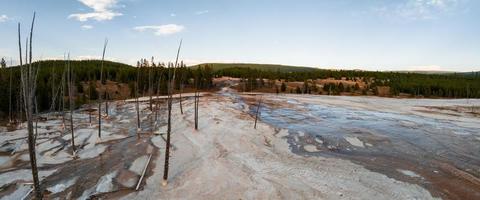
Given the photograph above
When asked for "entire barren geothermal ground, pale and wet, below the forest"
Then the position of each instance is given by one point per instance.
(304, 147)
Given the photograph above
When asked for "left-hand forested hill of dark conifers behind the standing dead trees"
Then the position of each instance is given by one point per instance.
(118, 82)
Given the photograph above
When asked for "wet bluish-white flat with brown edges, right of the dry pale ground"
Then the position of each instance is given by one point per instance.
(438, 151)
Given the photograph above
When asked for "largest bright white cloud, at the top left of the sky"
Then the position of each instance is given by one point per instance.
(102, 10)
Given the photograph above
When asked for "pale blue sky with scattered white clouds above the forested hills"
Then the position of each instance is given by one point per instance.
(375, 35)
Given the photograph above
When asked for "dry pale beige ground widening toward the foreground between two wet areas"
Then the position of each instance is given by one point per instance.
(228, 159)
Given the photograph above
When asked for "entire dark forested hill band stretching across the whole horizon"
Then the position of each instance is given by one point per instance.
(152, 77)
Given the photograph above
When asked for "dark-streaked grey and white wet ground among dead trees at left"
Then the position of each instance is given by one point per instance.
(101, 166)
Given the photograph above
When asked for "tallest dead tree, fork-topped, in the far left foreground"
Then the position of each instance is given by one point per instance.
(28, 81)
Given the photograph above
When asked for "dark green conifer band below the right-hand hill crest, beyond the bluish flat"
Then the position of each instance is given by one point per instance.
(455, 85)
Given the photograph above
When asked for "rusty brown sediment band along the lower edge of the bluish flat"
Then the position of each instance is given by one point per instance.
(439, 177)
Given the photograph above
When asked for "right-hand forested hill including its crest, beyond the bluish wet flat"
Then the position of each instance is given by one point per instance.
(452, 85)
